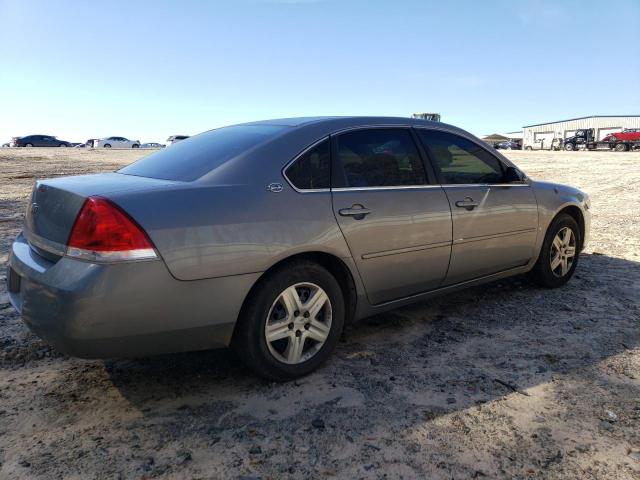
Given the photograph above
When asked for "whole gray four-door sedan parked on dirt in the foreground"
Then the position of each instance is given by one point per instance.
(270, 236)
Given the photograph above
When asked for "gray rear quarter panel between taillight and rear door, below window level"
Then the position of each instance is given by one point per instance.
(205, 231)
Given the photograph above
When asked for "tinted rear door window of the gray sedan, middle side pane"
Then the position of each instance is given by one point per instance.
(378, 158)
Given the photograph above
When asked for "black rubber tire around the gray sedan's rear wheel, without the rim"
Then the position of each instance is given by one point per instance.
(249, 340)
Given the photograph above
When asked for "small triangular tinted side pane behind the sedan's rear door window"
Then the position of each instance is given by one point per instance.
(311, 170)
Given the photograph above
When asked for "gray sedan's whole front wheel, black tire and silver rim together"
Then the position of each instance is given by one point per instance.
(559, 256)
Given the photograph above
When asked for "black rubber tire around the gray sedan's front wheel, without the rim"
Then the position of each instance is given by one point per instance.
(542, 274)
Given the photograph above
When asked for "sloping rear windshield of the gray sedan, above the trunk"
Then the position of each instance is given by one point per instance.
(190, 159)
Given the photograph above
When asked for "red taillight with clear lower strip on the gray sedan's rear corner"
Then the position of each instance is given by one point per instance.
(104, 232)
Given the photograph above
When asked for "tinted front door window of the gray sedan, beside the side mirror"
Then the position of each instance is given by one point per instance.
(460, 160)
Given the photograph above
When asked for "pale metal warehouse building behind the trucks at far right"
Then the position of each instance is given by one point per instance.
(541, 135)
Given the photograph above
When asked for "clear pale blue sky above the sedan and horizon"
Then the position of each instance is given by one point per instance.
(149, 69)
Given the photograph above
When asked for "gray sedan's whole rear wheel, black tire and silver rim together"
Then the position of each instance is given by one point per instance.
(291, 323)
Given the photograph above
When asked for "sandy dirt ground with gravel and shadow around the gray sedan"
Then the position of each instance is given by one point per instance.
(505, 380)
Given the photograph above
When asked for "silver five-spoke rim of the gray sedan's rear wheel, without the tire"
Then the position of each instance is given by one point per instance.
(298, 323)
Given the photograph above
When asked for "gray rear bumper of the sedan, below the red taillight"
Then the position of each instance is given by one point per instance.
(121, 310)
